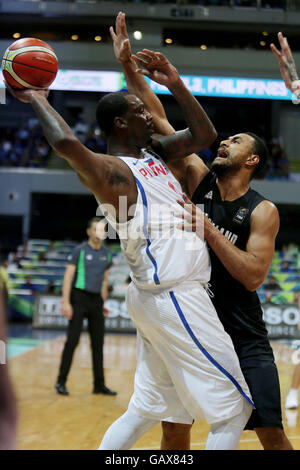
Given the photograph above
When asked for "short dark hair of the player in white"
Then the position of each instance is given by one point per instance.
(109, 107)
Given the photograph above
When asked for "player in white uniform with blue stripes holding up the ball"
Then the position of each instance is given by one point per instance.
(187, 367)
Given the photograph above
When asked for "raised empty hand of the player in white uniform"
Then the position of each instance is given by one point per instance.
(157, 67)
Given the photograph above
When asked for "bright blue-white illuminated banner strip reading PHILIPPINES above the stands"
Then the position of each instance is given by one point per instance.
(211, 86)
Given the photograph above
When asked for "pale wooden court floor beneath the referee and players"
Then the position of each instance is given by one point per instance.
(48, 421)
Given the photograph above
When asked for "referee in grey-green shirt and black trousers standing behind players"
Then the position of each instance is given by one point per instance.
(85, 274)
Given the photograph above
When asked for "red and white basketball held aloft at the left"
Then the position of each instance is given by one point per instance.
(29, 63)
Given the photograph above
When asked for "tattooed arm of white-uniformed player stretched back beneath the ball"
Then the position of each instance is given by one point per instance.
(105, 176)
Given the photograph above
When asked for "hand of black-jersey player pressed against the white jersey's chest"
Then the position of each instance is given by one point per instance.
(193, 219)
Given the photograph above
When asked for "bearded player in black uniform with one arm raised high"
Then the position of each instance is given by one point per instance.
(241, 236)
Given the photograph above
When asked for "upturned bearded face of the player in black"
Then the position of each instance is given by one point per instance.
(233, 153)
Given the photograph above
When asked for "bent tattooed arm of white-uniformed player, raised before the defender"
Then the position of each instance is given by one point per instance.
(200, 133)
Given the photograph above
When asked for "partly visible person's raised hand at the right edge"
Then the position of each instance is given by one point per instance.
(286, 63)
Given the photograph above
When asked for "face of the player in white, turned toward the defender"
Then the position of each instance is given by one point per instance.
(140, 126)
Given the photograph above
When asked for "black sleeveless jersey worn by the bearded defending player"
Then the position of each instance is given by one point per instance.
(238, 309)
